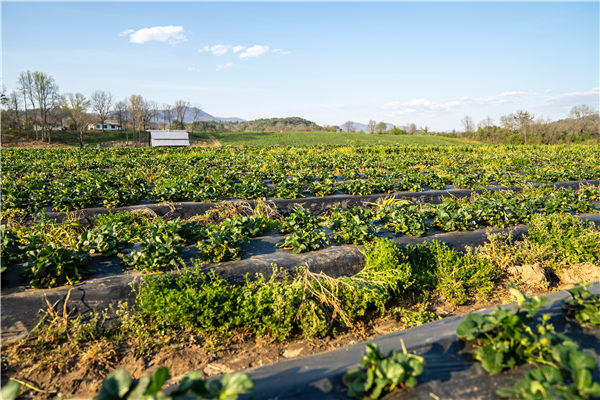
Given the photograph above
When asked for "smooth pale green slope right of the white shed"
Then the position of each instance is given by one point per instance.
(325, 138)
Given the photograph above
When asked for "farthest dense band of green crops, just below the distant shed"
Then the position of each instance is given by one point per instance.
(66, 180)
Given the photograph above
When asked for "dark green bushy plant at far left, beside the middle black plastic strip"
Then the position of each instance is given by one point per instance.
(50, 266)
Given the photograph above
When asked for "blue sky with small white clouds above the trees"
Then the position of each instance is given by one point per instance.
(400, 62)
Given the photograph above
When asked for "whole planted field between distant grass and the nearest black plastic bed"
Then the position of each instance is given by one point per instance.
(182, 315)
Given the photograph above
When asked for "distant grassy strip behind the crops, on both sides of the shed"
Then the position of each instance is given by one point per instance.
(117, 139)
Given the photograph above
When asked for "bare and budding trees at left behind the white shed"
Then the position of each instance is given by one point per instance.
(37, 107)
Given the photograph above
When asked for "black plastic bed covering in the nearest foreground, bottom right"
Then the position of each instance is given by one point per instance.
(450, 370)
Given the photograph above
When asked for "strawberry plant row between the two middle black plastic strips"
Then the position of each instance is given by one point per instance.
(55, 254)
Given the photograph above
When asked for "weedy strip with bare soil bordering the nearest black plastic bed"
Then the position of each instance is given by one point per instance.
(202, 322)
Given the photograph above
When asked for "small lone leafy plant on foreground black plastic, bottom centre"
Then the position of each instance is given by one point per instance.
(381, 374)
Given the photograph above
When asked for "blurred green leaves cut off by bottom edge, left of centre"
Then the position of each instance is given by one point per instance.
(120, 386)
